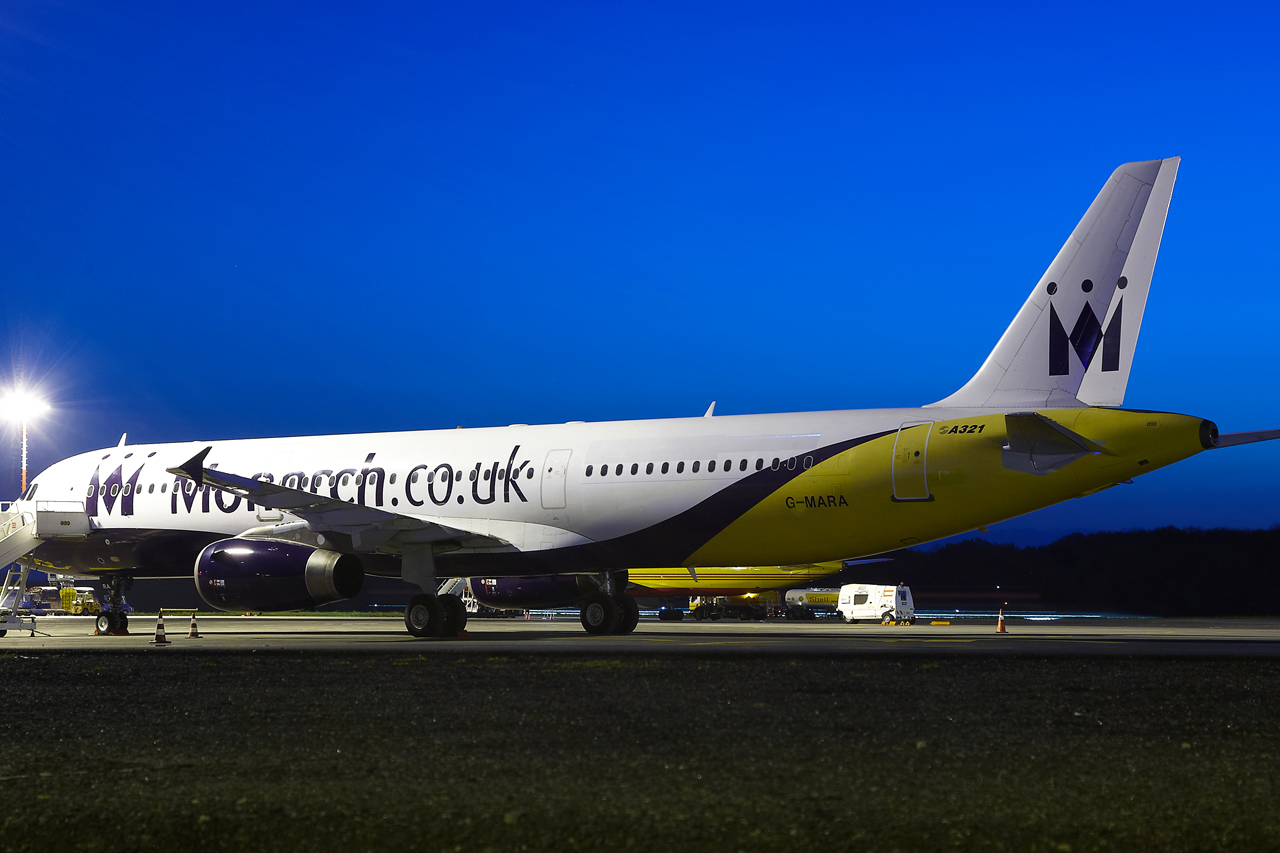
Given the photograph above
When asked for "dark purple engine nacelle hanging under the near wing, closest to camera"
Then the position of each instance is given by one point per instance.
(268, 574)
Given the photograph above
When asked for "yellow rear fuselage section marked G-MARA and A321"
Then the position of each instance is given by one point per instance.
(938, 480)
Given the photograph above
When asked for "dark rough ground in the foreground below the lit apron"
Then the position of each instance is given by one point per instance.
(109, 751)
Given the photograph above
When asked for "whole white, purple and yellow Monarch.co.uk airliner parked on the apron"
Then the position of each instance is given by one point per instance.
(292, 523)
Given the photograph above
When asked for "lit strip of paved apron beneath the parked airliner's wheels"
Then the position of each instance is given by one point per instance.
(828, 637)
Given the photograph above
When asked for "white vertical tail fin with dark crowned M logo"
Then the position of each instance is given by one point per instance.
(1073, 341)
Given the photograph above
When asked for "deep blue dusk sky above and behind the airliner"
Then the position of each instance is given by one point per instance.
(243, 220)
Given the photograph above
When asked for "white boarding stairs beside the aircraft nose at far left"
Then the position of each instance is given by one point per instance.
(24, 527)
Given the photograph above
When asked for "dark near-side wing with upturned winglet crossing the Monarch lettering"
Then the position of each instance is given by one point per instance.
(322, 513)
